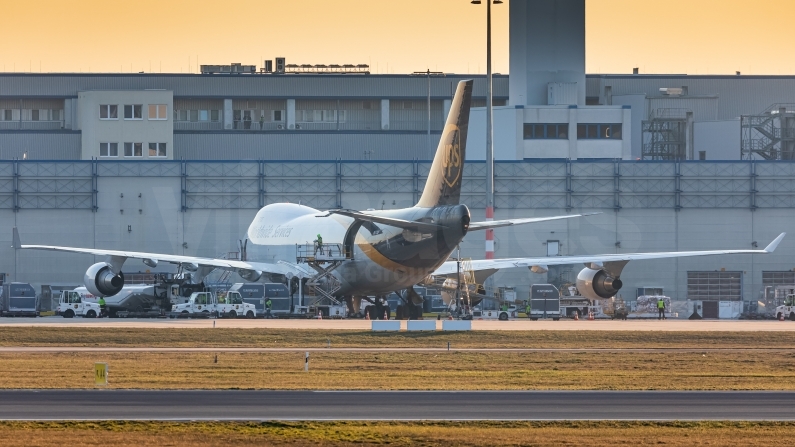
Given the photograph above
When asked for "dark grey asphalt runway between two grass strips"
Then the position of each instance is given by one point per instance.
(393, 405)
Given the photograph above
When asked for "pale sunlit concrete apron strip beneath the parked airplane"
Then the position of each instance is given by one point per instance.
(673, 325)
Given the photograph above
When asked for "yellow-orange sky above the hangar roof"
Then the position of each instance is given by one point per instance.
(393, 36)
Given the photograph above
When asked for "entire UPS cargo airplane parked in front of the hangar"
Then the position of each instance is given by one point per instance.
(382, 251)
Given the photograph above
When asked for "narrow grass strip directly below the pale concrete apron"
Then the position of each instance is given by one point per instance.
(279, 338)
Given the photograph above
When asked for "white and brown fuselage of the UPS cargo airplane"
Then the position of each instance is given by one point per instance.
(384, 258)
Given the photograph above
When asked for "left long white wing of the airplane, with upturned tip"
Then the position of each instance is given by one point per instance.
(119, 256)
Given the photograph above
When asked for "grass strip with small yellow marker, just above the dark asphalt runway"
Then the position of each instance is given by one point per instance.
(744, 370)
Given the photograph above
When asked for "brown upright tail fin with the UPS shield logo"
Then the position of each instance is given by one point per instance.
(444, 179)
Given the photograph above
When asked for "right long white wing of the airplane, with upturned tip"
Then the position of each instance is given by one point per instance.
(450, 267)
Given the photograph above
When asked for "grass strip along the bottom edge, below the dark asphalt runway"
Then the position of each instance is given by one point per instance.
(396, 434)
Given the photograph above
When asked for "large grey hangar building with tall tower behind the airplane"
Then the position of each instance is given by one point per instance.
(180, 163)
